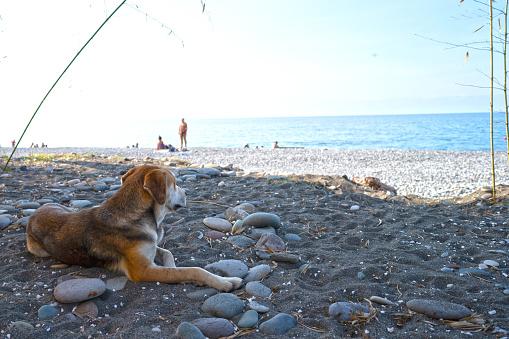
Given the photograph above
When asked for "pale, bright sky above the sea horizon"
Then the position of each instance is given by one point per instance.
(166, 59)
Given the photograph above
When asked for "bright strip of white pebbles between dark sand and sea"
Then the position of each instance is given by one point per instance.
(430, 174)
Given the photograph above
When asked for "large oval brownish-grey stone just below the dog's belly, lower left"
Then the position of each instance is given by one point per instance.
(78, 290)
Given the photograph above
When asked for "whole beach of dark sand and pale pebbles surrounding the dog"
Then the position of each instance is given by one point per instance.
(319, 255)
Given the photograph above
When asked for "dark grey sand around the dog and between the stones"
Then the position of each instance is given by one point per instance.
(397, 243)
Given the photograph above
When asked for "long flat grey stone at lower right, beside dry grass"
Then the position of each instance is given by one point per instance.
(438, 309)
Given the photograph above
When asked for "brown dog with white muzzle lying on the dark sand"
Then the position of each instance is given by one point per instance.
(123, 233)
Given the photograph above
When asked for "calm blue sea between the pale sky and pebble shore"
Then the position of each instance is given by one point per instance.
(458, 131)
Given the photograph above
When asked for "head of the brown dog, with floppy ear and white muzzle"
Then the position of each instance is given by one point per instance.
(158, 184)
